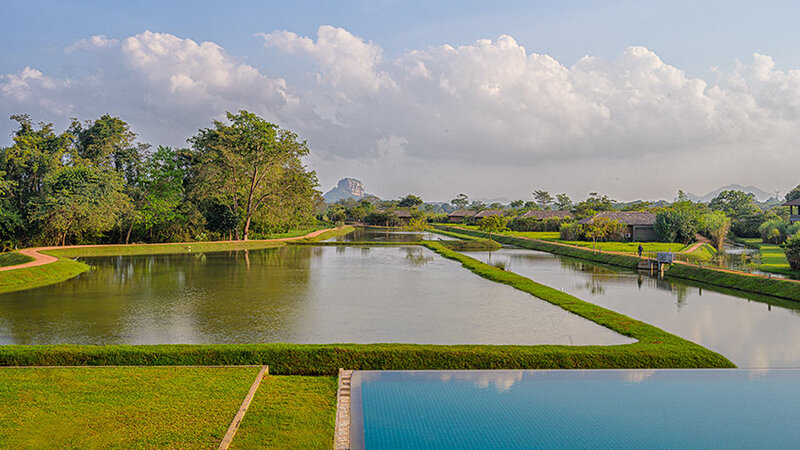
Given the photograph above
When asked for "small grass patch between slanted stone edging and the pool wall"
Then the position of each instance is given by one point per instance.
(290, 412)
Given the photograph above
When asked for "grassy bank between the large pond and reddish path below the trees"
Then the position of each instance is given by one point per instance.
(66, 267)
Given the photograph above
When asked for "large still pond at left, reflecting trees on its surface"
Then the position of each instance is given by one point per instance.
(296, 294)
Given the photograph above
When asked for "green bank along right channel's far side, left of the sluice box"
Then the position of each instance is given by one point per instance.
(629, 262)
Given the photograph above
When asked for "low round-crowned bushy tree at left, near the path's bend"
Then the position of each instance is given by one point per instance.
(81, 199)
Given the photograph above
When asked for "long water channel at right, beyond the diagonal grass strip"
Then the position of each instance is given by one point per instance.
(753, 332)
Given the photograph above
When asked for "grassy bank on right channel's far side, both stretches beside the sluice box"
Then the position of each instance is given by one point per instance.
(737, 281)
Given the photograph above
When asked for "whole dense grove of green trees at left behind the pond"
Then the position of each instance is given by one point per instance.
(96, 183)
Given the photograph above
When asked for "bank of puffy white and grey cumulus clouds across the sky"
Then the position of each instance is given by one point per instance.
(489, 116)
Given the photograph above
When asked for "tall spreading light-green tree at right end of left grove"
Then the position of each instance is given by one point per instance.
(249, 164)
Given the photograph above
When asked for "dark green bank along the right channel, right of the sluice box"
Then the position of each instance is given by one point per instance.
(775, 287)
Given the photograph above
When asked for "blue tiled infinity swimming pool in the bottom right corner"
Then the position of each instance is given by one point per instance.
(576, 409)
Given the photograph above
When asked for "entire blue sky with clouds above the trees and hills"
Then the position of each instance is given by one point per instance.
(634, 99)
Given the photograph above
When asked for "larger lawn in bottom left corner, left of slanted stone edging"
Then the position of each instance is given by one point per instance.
(119, 407)
